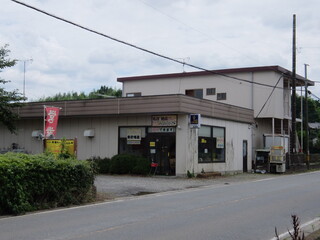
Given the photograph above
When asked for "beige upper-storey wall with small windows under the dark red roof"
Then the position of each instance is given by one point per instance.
(239, 93)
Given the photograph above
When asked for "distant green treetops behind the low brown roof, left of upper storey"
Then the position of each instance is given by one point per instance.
(103, 92)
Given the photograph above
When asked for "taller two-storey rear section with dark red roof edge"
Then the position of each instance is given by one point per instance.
(266, 90)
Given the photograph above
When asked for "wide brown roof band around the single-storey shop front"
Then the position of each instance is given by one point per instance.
(146, 105)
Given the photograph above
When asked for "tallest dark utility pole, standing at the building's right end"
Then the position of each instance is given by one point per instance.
(293, 95)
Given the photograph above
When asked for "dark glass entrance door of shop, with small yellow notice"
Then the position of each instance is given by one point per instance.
(163, 152)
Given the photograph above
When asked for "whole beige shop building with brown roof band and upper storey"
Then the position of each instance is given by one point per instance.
(153, 119)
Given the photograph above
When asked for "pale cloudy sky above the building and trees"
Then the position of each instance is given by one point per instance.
(211, 34)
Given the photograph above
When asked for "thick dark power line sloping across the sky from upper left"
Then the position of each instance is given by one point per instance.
(140, 48)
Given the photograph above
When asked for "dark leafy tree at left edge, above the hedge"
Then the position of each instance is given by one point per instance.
(8, 99)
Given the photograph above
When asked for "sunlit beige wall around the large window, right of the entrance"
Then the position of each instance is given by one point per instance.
(187, 147)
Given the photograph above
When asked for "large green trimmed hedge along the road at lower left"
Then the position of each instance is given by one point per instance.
(31, 182)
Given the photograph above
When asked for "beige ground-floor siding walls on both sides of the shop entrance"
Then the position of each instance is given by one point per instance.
(105, 141)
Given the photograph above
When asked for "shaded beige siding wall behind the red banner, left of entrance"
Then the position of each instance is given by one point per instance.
(103, 144)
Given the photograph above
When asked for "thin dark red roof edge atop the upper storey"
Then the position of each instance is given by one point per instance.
(223, 72)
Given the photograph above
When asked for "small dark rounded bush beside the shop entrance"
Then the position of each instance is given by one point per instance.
(127, 164)
